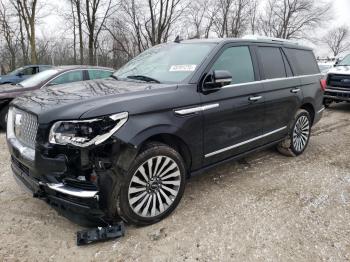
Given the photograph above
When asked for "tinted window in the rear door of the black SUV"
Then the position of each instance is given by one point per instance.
(272, 62)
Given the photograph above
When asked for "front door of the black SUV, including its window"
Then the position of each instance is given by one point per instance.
(233, 115)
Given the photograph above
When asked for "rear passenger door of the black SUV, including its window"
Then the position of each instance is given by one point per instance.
(282, 91)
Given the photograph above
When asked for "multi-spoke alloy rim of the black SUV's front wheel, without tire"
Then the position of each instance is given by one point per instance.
(154, 186)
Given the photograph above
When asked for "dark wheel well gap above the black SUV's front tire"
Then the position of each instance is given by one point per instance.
(176, 143)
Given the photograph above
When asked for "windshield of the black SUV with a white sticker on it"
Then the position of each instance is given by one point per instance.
(170, 63)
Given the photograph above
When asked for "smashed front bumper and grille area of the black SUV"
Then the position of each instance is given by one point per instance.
(81, 182)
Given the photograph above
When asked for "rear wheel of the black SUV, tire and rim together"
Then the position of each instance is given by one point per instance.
(297, 140)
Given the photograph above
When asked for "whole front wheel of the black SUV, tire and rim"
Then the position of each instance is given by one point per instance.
(153, 187)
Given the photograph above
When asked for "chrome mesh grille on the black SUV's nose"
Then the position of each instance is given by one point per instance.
(25, 127)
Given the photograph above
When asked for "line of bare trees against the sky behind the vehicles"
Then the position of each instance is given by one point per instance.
(111, 32)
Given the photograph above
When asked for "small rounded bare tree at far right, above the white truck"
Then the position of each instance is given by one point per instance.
(337, 40)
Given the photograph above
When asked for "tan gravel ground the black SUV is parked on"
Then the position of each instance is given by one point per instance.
(264, 207)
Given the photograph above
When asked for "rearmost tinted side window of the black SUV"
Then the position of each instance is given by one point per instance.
(303, 61)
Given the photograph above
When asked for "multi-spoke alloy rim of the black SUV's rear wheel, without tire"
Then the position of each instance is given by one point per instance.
(301, 133)
